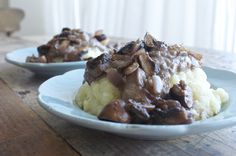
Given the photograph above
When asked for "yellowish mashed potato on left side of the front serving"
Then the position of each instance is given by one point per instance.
(92, 98)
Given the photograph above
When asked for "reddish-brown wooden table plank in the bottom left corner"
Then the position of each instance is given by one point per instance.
(23, 133)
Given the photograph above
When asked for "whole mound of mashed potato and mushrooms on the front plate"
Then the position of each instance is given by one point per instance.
(149, 82)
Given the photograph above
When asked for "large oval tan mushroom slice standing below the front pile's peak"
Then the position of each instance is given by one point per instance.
(148, 65)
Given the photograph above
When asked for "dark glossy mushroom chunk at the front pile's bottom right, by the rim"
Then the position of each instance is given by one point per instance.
(170, 112)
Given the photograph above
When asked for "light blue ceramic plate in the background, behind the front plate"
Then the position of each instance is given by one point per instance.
(18, 58)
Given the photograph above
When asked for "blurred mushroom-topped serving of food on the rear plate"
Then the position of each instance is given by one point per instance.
(71, 45)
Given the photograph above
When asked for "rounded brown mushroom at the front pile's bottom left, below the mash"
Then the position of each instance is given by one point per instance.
(115, 111)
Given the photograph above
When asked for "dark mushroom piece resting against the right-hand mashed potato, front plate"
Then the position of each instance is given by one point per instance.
(183, 94)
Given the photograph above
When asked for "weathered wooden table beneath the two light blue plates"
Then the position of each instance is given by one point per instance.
(27, 129)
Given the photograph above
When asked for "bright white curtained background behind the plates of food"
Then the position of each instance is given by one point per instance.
(199, 23)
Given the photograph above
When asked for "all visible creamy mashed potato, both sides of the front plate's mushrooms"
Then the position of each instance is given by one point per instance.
(207, 101)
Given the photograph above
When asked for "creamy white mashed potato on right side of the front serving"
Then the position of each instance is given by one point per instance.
(207, 101)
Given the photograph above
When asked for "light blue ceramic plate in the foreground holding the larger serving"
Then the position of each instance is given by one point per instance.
(57, 95)
